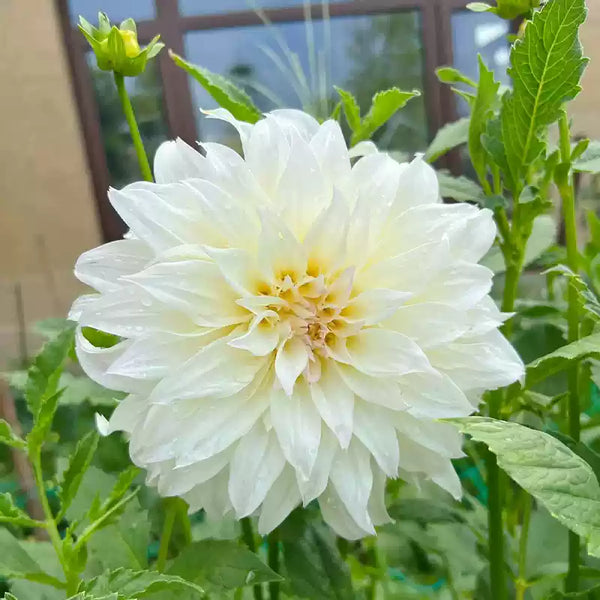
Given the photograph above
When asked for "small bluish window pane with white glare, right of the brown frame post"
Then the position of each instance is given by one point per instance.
(479, 33)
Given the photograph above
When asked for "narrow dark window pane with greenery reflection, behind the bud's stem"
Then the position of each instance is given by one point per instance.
(146, 96)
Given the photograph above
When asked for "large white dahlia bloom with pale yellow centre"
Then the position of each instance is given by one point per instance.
(291, 324)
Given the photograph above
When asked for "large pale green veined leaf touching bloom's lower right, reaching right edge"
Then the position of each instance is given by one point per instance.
(554, 475)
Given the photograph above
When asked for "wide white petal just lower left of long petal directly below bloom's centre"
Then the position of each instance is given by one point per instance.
(257, 462)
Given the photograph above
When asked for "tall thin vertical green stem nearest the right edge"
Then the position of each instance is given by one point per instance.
(567, 191)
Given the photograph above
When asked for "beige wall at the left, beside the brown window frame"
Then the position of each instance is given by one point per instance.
(47, 212)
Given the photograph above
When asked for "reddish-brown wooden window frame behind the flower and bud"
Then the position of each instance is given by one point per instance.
(436, 43)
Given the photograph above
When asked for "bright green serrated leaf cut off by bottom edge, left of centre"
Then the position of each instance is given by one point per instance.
(138, 584)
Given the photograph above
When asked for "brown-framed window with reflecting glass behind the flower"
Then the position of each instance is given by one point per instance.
(295, 59)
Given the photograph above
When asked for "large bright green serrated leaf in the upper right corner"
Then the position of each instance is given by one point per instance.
(541, 86)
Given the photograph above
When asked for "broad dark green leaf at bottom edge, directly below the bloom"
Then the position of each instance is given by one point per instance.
(220, 563)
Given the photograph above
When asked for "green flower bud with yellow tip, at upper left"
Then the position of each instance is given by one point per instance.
(117, 48)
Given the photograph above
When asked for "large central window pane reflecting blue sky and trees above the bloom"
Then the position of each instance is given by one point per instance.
(296, 65)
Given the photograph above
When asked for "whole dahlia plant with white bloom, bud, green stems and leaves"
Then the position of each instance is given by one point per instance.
(292, 339)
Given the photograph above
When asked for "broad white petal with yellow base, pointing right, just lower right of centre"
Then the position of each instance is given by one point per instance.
(386, 353)
